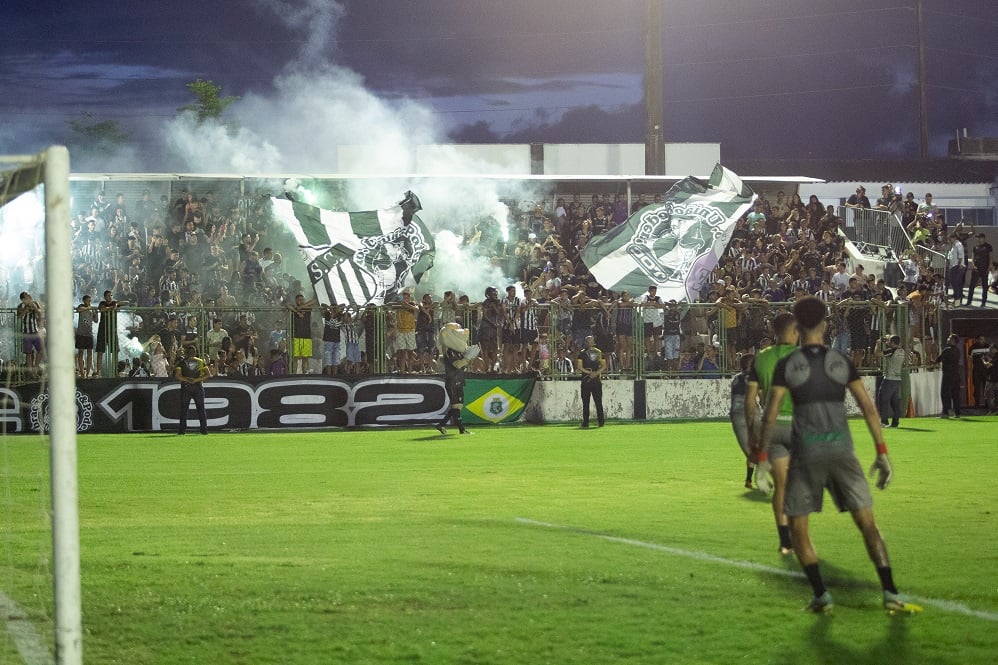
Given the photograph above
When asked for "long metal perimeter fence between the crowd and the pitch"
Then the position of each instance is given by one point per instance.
(707, 330)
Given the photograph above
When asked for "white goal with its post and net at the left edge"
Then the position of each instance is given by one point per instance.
(42, 621)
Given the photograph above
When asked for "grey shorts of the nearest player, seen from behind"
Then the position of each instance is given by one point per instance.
(840, 474)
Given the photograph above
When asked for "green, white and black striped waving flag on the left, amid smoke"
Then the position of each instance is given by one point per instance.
(359, 258)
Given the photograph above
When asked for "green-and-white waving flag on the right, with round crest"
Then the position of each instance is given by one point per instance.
(674, 244)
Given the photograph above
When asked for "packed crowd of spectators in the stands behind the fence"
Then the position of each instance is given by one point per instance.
(200, 271)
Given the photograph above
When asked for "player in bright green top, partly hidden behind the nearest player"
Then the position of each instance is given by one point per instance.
(777, 457)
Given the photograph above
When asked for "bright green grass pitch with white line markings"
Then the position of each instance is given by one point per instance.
(635, 543)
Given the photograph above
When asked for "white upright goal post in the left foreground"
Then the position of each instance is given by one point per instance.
(62, 410)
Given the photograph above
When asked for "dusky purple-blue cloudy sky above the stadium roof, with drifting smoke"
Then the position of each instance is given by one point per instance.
(764, 78)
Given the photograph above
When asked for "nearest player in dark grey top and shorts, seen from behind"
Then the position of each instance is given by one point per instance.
(822, 455)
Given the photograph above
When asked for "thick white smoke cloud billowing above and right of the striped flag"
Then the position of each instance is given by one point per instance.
(319, 118)
